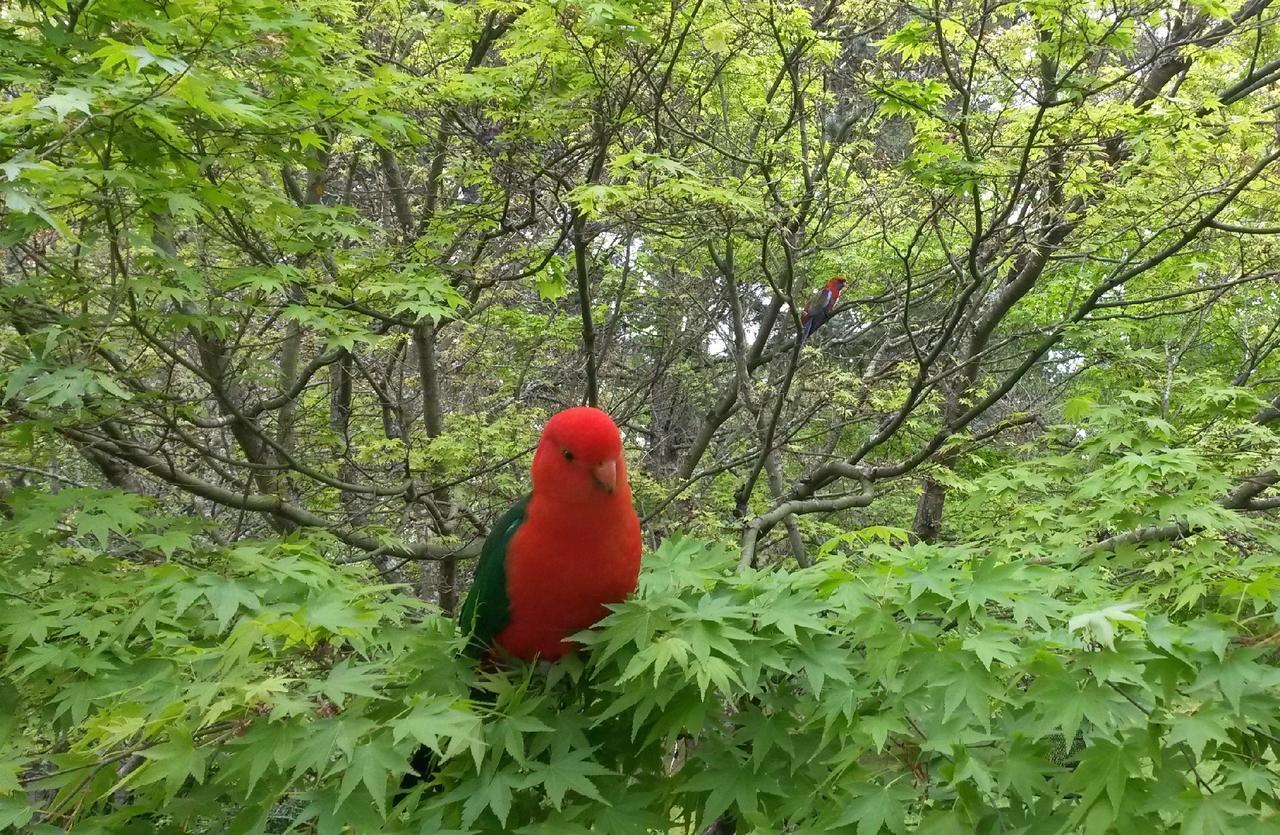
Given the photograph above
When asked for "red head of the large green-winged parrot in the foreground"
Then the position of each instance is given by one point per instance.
(579, 458)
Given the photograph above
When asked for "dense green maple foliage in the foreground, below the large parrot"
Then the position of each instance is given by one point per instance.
(1012, 683)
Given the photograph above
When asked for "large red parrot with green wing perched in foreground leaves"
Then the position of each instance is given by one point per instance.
(555, 562)
